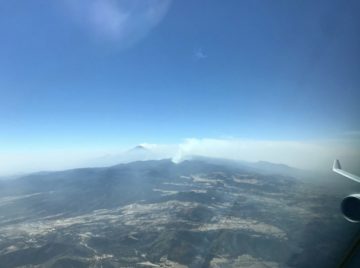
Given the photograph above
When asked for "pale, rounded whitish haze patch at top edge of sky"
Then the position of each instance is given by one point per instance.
(125, 21)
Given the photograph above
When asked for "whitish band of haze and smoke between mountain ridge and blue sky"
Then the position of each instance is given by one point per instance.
(308, 155)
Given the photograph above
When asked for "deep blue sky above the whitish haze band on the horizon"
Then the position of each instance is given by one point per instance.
(108, 72)
